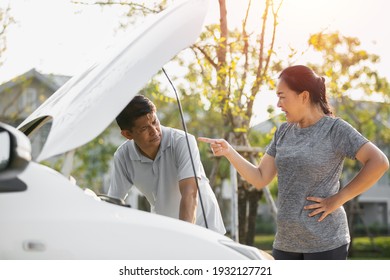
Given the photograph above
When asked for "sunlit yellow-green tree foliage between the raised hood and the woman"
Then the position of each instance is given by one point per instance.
(231, 66)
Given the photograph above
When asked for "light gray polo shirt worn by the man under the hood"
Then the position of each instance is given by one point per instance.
(158, 179)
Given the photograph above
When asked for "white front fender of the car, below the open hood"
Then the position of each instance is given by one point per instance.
(54, 219)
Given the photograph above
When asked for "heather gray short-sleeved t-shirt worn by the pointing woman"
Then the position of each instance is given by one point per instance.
(309, 162)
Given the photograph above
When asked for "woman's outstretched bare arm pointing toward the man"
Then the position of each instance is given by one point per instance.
(258, 176)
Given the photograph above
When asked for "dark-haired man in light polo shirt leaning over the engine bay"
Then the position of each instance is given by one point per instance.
(155, 159)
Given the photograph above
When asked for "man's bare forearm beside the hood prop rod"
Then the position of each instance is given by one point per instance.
(188, 202)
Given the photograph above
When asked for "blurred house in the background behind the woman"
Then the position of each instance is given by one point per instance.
(373, 207)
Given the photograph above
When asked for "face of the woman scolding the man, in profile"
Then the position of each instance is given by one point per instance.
(291, 103)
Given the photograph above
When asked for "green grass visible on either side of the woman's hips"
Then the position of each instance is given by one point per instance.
(362, 247)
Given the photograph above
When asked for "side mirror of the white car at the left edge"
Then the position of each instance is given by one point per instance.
(15, 152)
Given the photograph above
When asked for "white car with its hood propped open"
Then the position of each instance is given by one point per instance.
(43, 215)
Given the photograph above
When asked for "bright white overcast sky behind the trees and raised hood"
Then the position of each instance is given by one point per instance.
(56, 36)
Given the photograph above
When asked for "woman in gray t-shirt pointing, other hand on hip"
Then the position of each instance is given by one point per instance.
(307, 154)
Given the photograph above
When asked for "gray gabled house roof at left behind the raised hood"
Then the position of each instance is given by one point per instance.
(53, 82)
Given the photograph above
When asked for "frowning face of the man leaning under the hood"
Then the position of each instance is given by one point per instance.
(146, 132)
